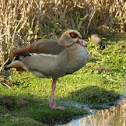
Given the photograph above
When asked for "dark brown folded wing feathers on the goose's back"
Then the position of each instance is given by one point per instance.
(41, 46)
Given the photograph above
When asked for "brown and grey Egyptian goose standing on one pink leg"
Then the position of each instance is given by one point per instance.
(52, 58)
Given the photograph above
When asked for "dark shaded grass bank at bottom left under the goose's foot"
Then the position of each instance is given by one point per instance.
(34, 111)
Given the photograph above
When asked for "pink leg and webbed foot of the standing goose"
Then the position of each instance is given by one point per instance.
(51, 101)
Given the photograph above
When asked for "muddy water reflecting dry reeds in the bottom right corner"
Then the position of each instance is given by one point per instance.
(114, 116)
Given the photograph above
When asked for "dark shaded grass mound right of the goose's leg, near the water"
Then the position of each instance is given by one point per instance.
(94, 95)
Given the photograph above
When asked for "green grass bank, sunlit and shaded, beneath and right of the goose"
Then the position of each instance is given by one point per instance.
(101, 81)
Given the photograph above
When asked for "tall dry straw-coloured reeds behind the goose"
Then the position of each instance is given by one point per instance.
(23, 21)
